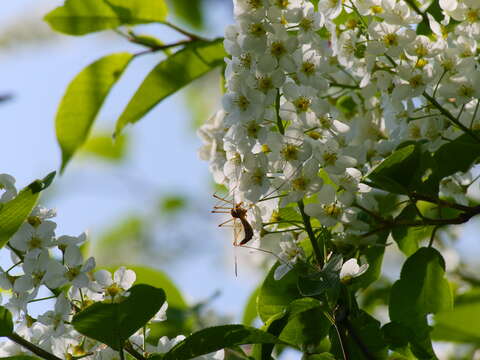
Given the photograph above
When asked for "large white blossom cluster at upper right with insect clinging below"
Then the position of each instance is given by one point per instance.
(316, 98)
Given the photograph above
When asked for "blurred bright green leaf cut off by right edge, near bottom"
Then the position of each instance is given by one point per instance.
(462, 324)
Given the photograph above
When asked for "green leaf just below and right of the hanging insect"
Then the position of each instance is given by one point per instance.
(276, 295)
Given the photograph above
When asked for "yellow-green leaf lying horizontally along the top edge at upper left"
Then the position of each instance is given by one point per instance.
(79, 17)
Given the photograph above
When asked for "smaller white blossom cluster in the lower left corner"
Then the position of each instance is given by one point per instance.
(41, 260)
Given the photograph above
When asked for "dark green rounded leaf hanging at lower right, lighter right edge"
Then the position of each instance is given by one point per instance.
(422, 288)
